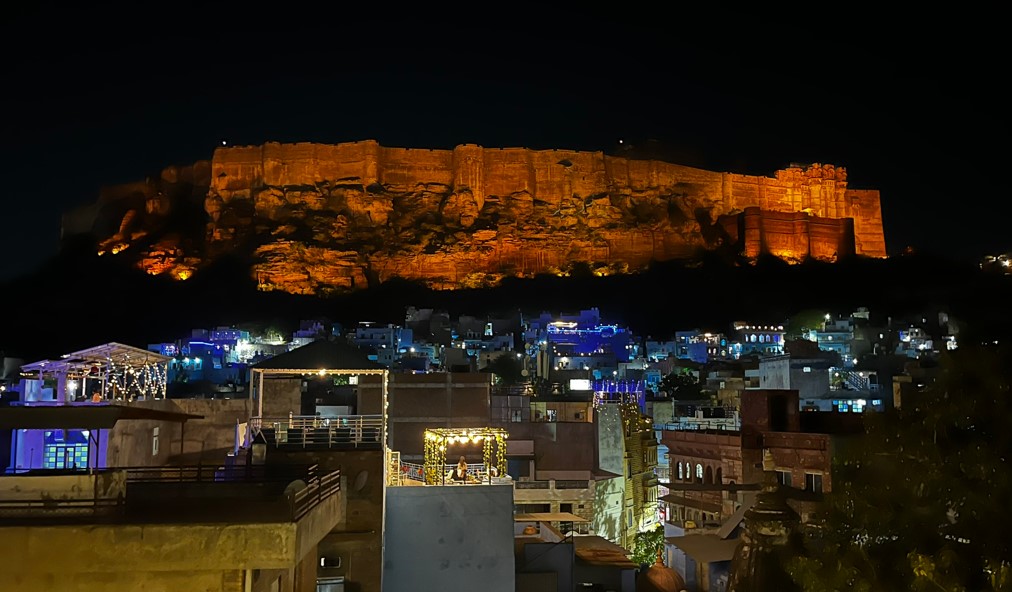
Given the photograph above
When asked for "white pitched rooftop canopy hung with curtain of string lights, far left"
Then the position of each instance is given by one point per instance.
(126, 373)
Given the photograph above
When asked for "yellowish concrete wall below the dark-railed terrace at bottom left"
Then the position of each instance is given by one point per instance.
(159, 557)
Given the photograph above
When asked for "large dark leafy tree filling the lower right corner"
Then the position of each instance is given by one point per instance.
(921, 501)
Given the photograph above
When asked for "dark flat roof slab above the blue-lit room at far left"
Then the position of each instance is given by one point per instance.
(87, 416)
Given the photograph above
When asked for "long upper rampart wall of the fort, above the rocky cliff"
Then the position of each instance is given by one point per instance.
(483, 172)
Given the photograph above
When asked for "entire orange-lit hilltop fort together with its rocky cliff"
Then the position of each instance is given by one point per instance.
(317, 219)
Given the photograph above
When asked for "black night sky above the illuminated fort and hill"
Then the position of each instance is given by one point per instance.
(95, 99)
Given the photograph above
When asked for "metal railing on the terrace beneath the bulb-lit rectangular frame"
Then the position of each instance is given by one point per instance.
(326, 433)
